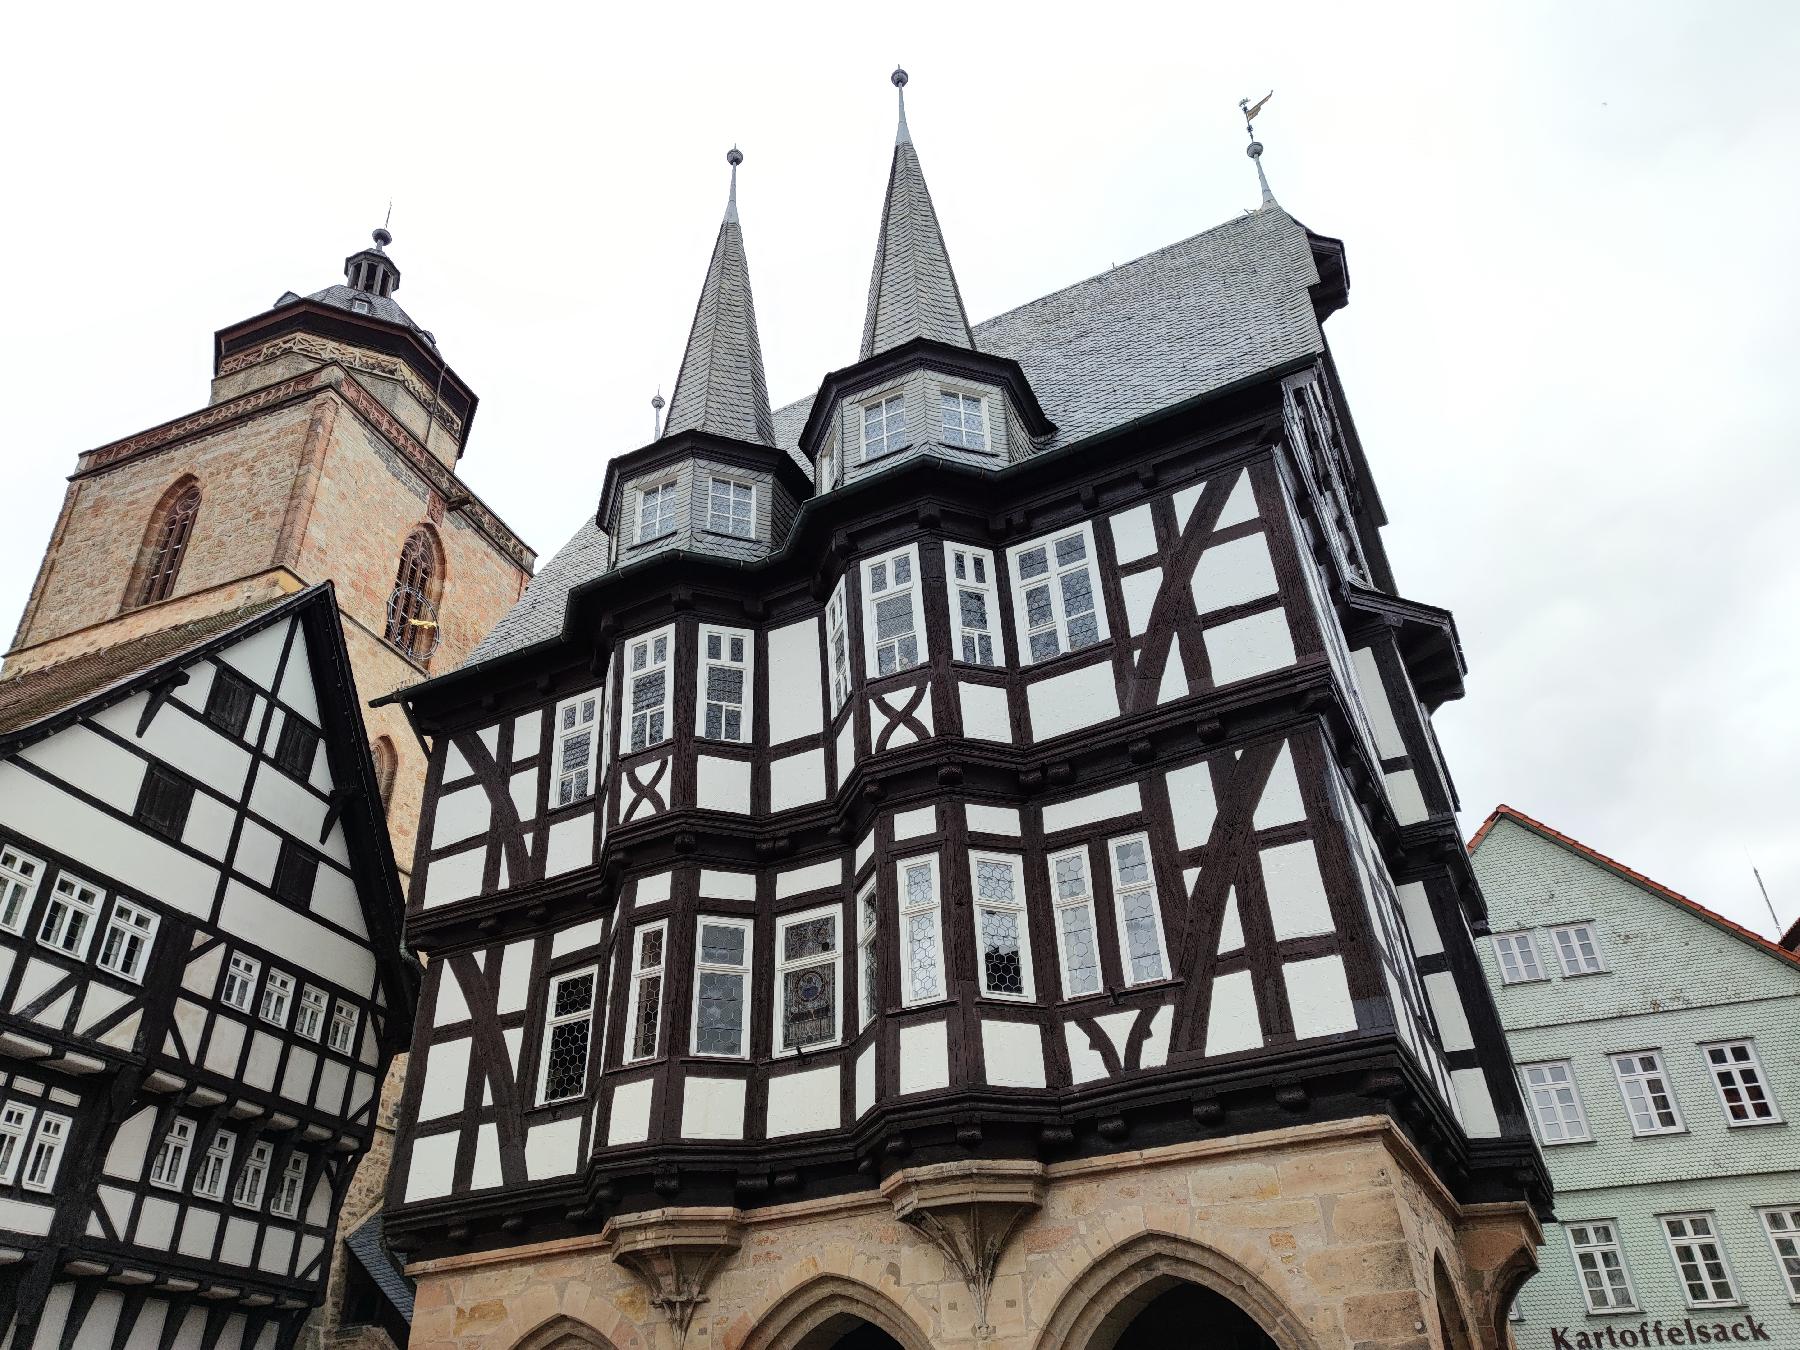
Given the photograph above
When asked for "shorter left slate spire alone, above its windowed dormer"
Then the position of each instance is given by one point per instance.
(721, 386)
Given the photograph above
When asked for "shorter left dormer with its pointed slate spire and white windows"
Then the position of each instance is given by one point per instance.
(714, 480)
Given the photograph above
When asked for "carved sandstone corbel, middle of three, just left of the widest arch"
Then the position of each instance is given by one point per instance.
(969, 1212)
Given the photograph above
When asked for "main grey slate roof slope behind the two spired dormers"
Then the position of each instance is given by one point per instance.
(1185, 321)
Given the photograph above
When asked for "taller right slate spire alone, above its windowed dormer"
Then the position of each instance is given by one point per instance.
(912, 289)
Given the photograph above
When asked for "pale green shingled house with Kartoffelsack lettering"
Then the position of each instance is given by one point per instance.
(1659, 1048)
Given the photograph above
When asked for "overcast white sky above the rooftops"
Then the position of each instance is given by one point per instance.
(1570, 345)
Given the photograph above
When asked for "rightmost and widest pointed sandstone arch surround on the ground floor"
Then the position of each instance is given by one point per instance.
(1101, 1304)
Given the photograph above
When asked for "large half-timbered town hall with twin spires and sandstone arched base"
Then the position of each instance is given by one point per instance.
(964, 859)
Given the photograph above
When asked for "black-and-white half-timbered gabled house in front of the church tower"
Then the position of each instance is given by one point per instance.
(201, 982)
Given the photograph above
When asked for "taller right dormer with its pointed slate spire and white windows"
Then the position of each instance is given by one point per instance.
(919, 388)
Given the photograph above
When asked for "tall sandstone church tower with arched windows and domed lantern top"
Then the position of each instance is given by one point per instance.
(327, 451)
